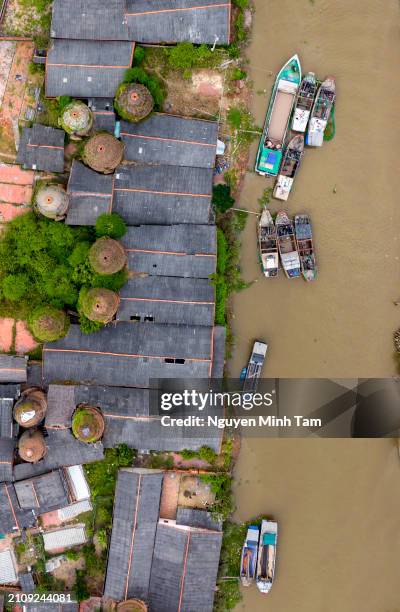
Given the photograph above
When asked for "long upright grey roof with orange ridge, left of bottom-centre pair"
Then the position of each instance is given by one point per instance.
(136, 510)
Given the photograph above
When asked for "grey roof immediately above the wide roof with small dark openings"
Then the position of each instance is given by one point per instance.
(166, 299)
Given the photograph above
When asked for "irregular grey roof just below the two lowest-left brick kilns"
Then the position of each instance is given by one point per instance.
(62, 450)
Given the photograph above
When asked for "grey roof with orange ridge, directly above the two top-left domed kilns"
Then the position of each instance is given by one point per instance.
(86, 68)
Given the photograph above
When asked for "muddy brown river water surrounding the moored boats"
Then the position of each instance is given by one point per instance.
(337, 501)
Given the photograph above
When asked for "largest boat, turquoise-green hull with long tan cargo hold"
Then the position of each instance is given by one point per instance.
(280, 108)
